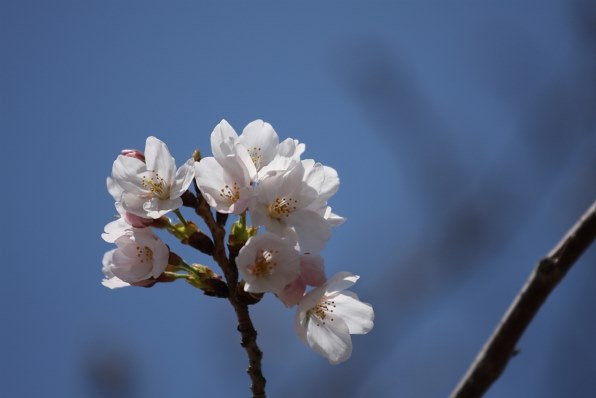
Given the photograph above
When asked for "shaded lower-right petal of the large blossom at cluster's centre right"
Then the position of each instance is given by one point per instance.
(312, 229)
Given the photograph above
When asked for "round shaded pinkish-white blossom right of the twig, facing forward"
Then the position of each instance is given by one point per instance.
(267, 263)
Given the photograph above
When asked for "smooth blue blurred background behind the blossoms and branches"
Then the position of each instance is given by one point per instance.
(463, 133)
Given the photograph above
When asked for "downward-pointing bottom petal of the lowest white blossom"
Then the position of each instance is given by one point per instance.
(330, 338)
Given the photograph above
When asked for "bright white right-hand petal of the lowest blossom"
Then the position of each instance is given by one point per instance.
(357, 315)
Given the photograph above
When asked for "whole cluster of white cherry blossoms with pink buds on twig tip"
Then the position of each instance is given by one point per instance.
(253, 176)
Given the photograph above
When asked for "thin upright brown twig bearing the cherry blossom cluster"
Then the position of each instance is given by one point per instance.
(228, 266)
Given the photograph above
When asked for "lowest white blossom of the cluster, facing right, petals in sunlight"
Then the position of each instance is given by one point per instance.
(329, 314)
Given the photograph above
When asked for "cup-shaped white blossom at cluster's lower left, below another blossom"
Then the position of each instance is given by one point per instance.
(139, 256)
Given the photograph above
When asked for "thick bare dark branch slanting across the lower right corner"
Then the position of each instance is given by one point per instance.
(501, 346)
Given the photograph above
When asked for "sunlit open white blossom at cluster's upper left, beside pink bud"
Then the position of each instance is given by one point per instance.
(151, 188)
